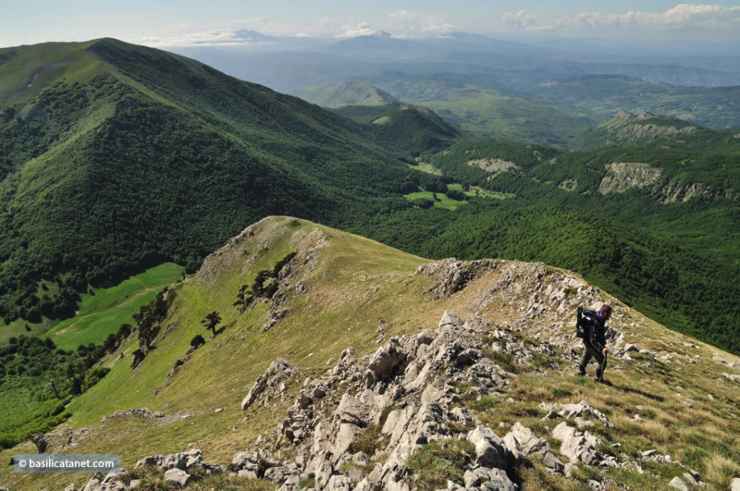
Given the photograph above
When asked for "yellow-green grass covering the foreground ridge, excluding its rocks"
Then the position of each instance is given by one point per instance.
(354, 275)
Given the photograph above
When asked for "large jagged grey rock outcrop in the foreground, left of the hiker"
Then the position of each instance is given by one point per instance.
(390, 404)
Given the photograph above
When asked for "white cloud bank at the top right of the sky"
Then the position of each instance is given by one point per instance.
(687, 17)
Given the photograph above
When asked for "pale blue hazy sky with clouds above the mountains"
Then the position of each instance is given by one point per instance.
(178, 23)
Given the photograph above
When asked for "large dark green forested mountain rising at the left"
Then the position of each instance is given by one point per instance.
(116, 157)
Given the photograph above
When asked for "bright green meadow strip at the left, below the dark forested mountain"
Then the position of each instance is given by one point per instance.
(105, 310)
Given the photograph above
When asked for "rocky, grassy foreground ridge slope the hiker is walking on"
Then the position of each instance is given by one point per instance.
(279, 382)
